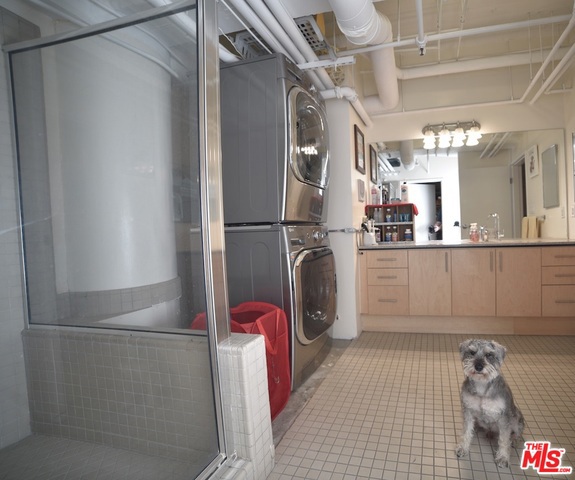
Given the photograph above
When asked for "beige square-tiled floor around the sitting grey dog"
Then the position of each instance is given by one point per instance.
(389, 409)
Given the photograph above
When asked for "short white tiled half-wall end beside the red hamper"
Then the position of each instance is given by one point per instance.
(246, 405)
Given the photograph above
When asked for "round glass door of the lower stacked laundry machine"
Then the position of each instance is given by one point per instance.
(315, 293)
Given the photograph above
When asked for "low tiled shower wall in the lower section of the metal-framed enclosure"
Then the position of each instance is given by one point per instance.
(140, 393)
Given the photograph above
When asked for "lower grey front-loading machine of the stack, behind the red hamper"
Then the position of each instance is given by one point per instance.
(293, 268)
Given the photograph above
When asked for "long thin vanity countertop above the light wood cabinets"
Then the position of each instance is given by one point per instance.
(510, 242)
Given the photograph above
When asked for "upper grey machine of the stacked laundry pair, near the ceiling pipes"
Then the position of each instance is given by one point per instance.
(275, 161)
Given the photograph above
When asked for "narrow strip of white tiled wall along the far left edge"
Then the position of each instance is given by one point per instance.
(14, 413)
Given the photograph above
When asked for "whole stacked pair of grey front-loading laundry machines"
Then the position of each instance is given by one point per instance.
(275, 179)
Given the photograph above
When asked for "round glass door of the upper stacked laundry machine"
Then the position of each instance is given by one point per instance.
(309, 142)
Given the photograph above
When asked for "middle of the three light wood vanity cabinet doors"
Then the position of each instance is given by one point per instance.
(473, 281)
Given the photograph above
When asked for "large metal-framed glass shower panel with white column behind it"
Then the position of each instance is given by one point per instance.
(109, 121)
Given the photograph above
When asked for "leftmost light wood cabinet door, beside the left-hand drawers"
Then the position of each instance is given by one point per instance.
(430, 282)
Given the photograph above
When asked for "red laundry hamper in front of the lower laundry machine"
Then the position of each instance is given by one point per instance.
(271, 322)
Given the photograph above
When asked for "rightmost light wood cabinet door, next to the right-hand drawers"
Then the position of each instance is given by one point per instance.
(518, 282)
